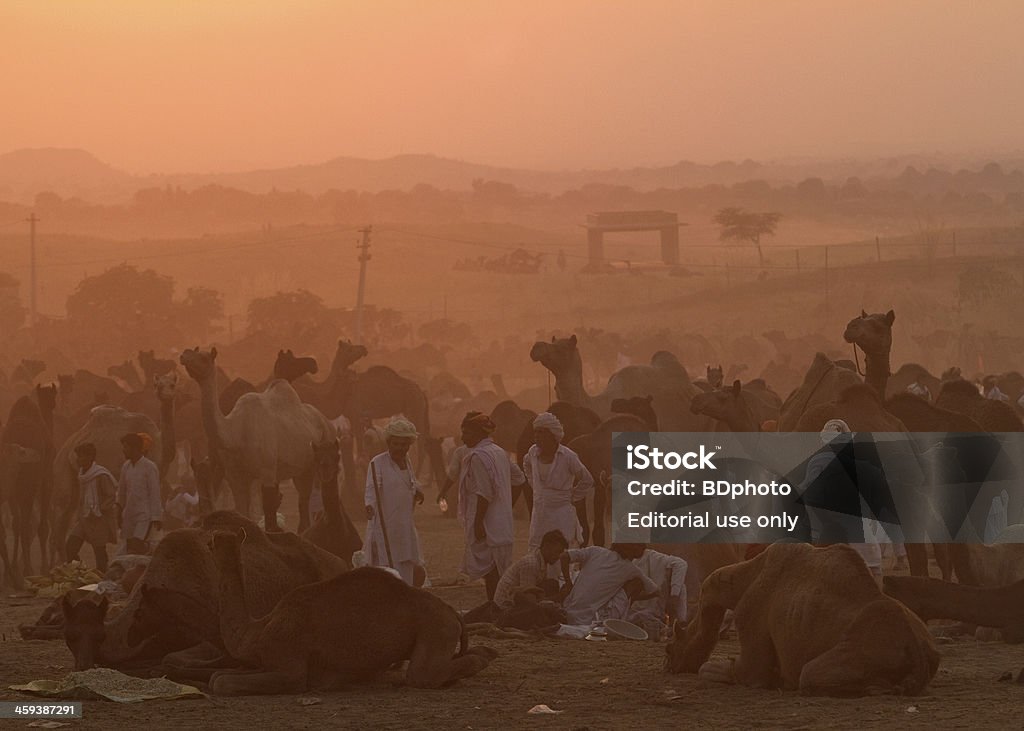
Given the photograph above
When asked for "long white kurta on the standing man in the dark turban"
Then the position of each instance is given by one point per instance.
(487, 472)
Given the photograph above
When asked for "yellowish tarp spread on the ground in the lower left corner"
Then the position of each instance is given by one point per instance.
(107, 684)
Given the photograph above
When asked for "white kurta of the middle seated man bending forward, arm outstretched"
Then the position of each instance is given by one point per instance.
(603, 574)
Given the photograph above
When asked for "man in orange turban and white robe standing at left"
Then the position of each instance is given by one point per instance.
(139, 497)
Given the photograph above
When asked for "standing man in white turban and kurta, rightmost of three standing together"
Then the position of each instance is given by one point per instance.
(562, 485)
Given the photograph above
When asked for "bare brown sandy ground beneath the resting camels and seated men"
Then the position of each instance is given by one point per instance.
(611, 685)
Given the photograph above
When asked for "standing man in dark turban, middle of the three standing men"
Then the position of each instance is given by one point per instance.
(486, 503)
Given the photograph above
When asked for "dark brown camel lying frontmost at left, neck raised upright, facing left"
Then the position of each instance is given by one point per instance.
(346, 629)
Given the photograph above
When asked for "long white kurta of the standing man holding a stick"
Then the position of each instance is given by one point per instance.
(398, 490)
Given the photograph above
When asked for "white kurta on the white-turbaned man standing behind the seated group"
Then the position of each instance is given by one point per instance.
(557, 487)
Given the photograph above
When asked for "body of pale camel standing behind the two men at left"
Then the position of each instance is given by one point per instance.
(105, 428)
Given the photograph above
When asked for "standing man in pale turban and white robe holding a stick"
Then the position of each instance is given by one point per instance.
(392, 494)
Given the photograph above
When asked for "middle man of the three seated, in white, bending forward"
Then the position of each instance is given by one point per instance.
(604, 575)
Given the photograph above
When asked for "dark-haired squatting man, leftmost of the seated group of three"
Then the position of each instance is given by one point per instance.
(525, 583)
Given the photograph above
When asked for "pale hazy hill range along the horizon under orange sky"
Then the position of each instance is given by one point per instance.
(78, 174)
